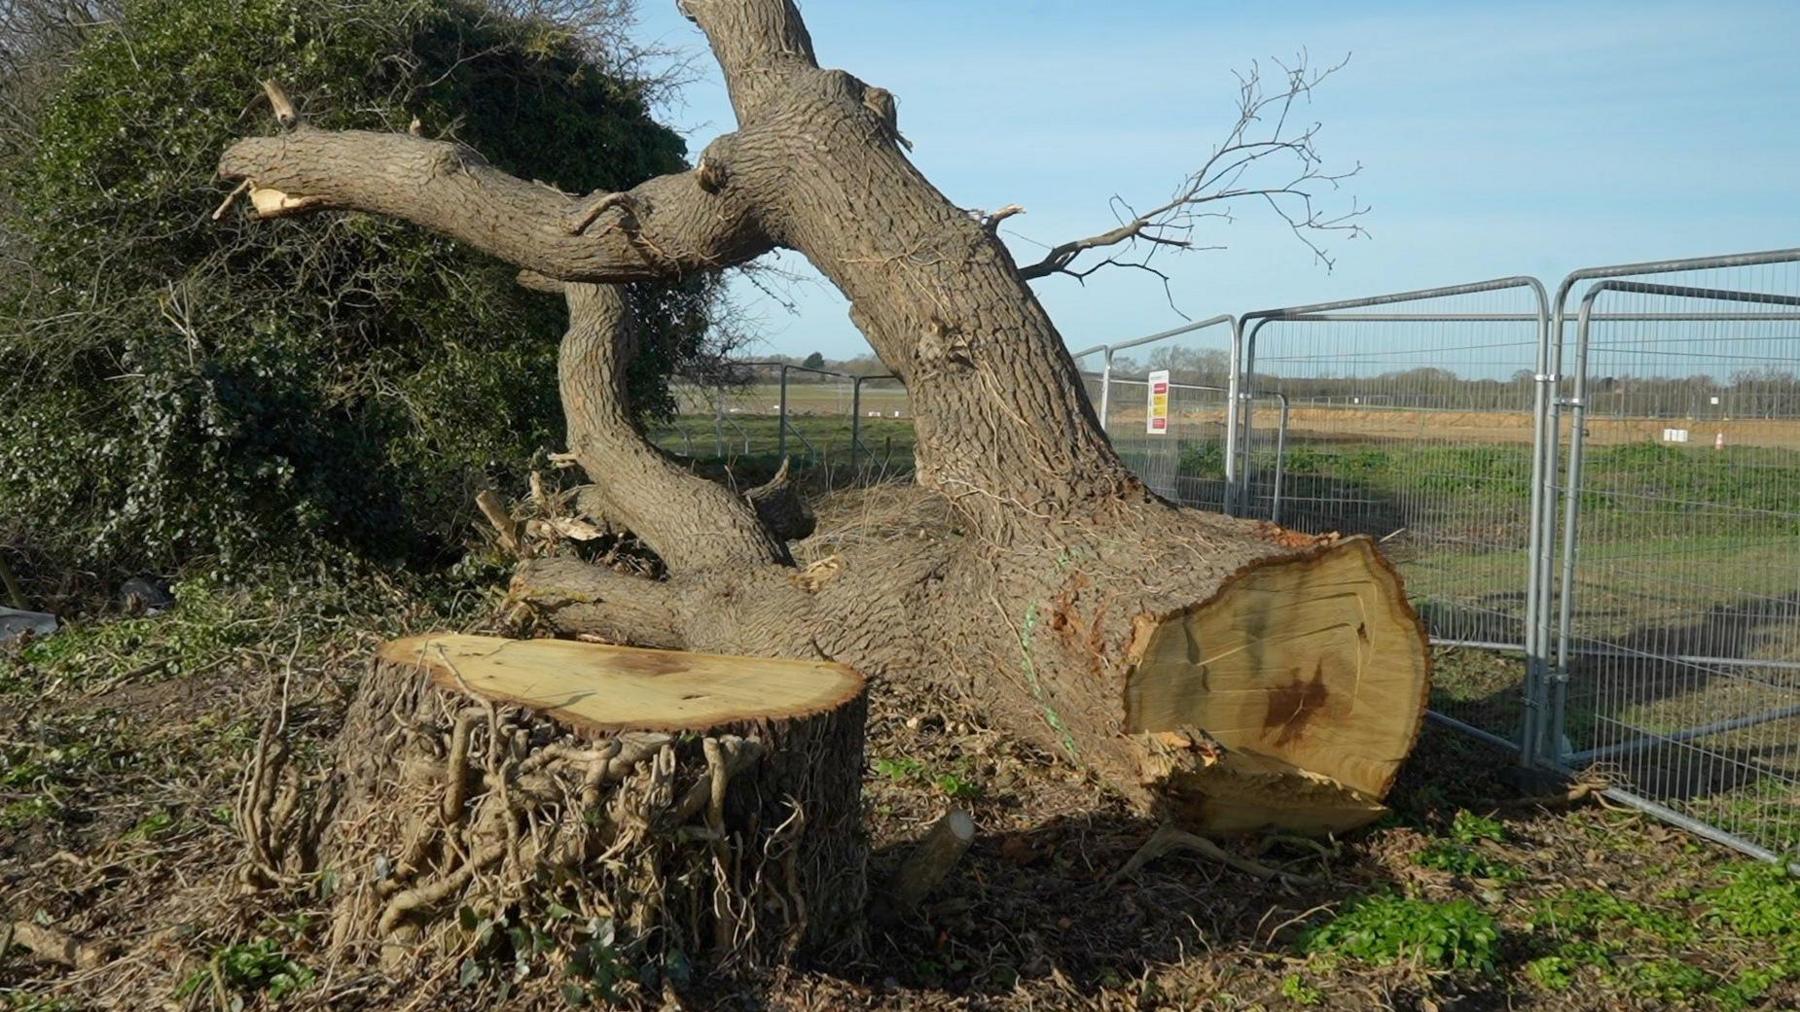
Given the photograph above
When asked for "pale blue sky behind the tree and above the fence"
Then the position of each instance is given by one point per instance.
(1495, 138)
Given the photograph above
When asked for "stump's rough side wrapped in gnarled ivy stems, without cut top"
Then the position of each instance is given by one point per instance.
(739, 845)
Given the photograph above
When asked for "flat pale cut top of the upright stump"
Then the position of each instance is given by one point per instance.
(602, 689)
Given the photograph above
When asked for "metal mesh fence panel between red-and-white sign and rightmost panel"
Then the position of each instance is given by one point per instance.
(1414, 419)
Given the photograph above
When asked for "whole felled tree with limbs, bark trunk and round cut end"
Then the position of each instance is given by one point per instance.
(1221, 671)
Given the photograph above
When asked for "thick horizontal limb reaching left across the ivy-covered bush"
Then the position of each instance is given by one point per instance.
(661, 230)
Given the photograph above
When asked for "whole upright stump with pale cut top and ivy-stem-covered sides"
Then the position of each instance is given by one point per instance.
(656, 804)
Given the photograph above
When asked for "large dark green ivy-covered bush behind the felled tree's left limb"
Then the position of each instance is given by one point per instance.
(184, 393)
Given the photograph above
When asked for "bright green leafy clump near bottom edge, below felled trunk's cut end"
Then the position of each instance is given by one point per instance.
(1392, 930)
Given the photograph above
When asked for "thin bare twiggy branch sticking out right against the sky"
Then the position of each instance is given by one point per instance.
(1261, 143)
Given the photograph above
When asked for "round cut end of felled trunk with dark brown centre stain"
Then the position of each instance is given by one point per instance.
(1311, 674)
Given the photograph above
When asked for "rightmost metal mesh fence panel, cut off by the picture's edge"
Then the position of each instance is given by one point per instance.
(1678, 622)
